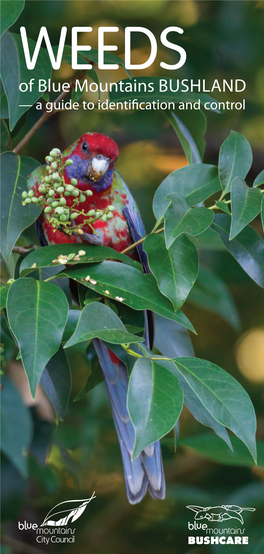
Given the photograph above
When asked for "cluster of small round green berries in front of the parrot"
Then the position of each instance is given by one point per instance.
(53, 192)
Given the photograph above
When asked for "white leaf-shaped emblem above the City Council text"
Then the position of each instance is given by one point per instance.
(67, 511)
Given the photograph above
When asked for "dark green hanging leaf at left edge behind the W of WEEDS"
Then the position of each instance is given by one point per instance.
(14, 71)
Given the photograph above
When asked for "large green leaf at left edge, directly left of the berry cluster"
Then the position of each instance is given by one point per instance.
(15, 217)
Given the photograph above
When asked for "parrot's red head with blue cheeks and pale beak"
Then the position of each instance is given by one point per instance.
(93, 156)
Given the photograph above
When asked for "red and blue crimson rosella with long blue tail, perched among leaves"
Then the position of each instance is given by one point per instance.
(93, 158)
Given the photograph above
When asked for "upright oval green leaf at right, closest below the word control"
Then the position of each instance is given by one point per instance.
(235, 160)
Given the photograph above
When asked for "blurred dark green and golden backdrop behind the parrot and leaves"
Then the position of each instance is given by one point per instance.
(223, 39)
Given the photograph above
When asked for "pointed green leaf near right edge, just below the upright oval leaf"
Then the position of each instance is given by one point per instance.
(246, 204)
